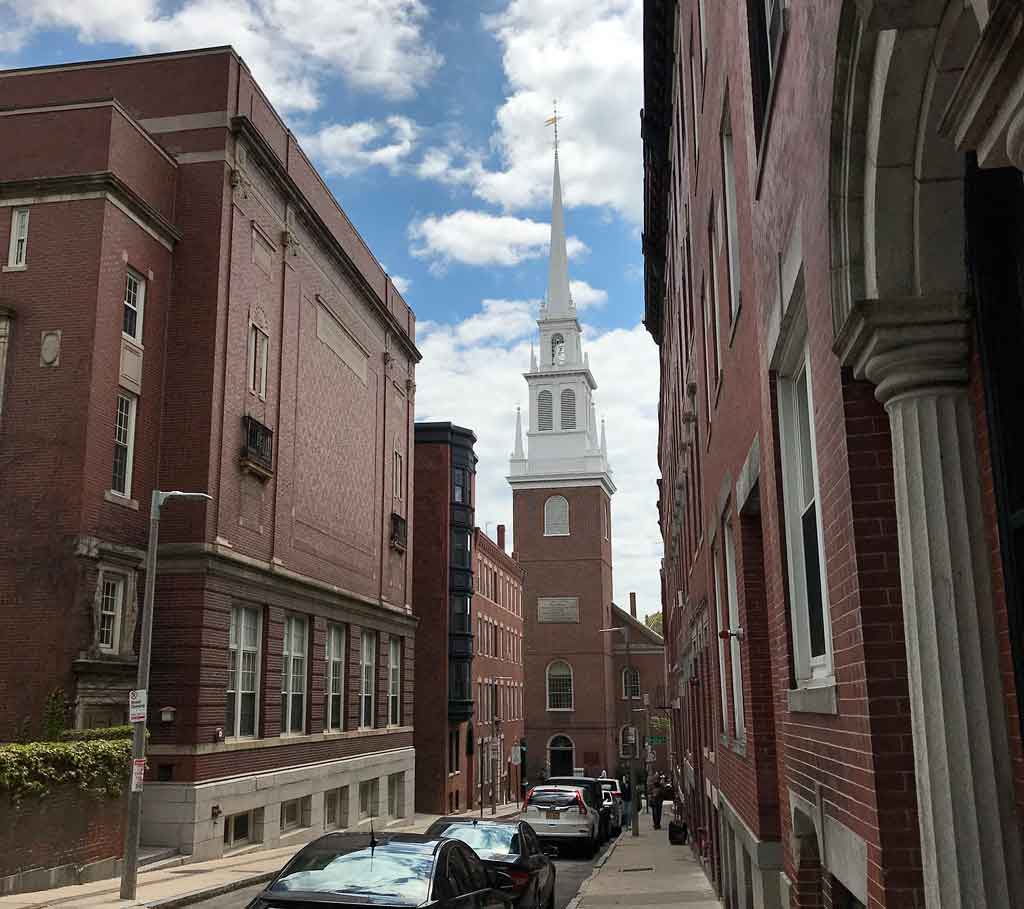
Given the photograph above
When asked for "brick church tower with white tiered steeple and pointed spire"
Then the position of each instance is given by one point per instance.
(562, 494)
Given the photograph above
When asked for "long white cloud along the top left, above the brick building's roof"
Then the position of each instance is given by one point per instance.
(290, 46)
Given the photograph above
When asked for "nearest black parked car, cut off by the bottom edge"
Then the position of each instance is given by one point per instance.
(389, 872)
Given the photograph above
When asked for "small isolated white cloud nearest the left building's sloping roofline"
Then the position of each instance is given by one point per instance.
(347, 149)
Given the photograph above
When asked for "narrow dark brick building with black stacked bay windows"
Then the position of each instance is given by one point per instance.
(443, 584)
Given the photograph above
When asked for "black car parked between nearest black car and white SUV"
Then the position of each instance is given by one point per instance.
(508, 848)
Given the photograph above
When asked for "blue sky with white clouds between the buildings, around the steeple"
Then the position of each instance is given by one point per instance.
(428, 121)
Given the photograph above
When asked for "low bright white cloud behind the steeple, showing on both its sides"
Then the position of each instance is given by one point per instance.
(472, 374)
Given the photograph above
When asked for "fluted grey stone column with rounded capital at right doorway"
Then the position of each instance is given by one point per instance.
(916, 352)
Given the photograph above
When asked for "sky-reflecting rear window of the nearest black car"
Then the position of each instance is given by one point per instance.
(385, 876)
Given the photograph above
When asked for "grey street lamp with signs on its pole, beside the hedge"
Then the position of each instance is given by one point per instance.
(130, 878)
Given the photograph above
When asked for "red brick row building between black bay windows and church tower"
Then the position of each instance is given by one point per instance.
(498, 670)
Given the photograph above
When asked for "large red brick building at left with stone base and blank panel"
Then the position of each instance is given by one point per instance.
(186, 307)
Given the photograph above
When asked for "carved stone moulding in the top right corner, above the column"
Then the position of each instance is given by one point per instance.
(987, 111)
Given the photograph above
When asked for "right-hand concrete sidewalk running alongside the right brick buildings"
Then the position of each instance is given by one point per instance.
(647, 872)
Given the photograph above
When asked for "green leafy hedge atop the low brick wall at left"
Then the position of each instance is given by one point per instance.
(99, 767)
